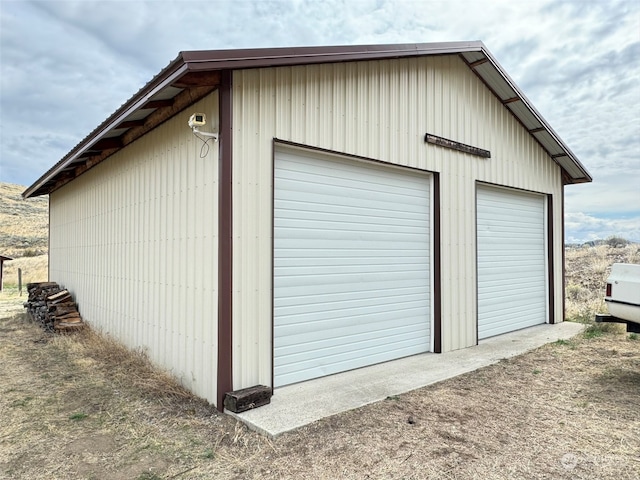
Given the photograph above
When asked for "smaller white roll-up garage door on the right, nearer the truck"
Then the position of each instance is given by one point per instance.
(512, 276)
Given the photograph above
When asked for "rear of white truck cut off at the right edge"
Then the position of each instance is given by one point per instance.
(622, 296)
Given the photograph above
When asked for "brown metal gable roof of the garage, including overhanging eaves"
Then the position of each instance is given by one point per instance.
(194, 74)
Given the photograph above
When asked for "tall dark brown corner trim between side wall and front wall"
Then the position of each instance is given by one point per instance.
(225, 242)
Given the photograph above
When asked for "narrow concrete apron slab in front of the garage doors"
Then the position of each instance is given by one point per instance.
(294, 406)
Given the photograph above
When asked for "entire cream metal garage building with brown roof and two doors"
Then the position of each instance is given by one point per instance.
(357, 204)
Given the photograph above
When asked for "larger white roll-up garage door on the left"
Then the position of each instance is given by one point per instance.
(351, 265)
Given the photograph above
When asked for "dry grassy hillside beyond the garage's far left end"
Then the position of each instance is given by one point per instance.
(24, 224)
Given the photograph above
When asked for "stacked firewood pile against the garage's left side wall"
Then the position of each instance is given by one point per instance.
(53, 307)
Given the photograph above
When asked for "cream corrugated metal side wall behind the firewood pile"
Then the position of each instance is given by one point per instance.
(135, 240)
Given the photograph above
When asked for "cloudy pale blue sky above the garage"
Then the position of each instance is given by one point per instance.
(66, 66)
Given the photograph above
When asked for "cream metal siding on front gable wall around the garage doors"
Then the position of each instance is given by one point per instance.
(379, 110)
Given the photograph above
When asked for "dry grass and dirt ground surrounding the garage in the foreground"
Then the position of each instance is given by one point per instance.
(80, 407)
